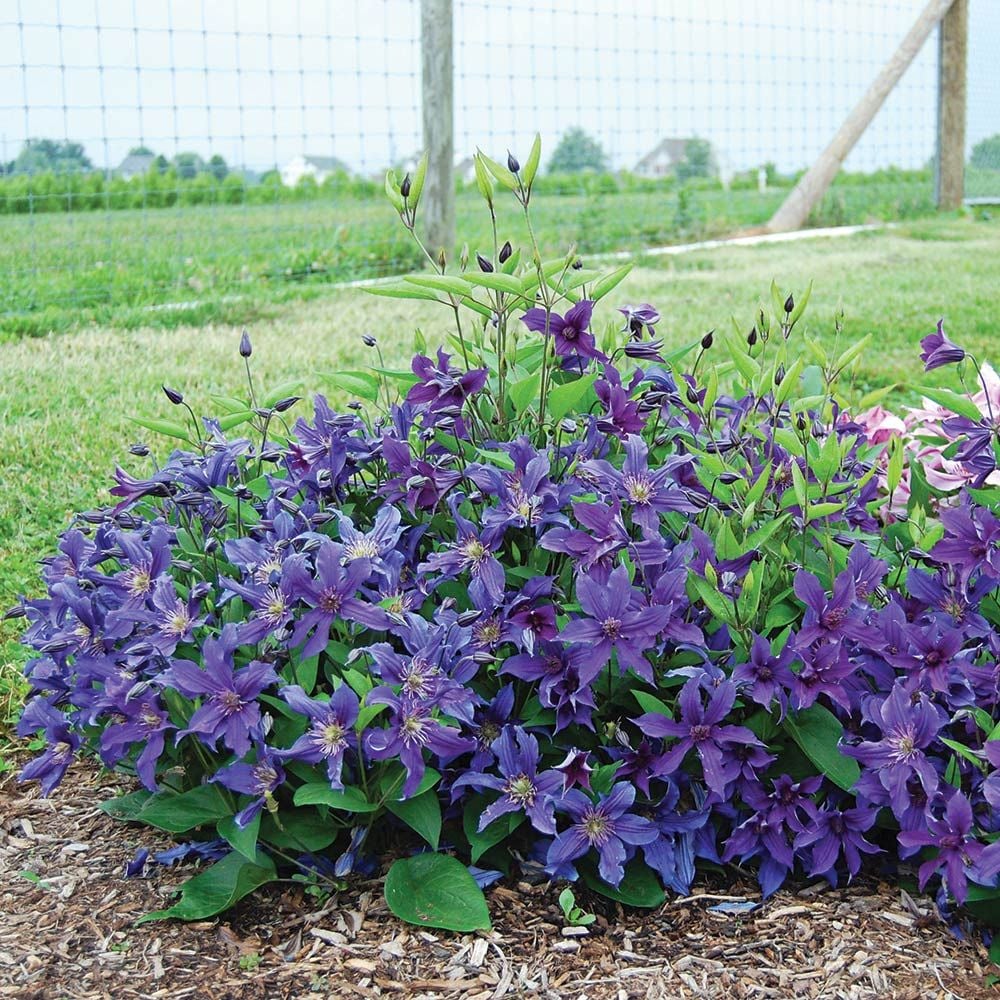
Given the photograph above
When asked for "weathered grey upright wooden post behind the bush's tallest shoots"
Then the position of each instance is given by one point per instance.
(437, 204)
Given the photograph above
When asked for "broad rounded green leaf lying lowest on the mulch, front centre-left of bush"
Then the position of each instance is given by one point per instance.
(436, 890)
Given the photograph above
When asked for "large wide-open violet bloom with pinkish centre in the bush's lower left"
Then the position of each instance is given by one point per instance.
(229, 709)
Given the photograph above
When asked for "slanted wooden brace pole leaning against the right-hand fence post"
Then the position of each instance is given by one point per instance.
(814, 183)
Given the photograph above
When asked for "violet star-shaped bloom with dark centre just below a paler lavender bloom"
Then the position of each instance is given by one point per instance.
(332, 595)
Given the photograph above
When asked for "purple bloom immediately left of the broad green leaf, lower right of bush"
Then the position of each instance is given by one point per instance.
(699, 728)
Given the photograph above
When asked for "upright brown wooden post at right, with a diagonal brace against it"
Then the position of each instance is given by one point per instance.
(950, 174)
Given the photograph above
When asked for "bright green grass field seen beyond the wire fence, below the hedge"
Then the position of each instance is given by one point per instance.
(234, 263)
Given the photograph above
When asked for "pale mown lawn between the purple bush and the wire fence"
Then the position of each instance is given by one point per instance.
(66, 399)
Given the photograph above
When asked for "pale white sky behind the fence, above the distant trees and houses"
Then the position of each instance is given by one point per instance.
(260, 81)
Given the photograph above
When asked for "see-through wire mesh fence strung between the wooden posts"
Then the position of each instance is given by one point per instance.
(190, 153)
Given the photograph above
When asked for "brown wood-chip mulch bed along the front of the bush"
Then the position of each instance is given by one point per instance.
(72, 934)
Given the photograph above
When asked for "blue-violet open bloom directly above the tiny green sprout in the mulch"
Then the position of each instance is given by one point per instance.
(605, 825)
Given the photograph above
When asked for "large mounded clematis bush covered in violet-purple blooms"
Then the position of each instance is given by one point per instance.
(555, 600)
